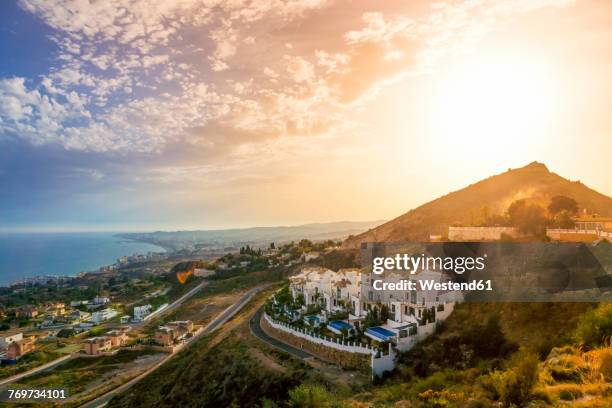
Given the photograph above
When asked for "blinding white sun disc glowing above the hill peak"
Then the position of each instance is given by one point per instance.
(501, 100)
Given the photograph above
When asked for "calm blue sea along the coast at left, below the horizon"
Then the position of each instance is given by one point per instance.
(25, 255)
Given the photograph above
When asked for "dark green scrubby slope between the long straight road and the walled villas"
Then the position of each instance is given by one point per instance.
(222, 376)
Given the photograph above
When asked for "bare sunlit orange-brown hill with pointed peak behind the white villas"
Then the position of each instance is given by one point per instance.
(534, 182)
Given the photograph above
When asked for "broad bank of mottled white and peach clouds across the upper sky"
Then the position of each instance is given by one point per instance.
(139, 76)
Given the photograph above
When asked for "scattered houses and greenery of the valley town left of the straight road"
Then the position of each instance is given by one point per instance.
(141, 304)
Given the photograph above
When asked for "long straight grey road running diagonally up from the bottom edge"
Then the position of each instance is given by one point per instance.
(217, 322)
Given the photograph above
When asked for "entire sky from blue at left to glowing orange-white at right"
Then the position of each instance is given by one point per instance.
(191, 114)
